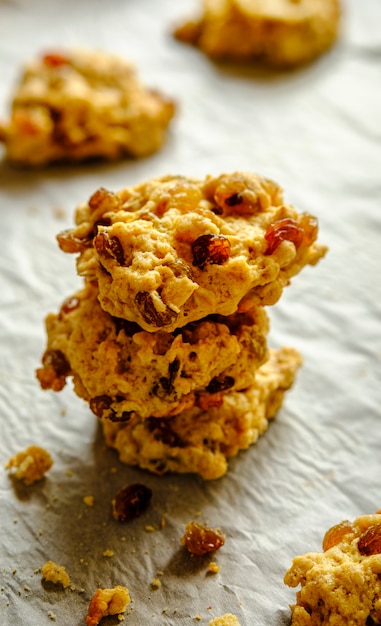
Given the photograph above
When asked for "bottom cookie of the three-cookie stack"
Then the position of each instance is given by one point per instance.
(201, 441)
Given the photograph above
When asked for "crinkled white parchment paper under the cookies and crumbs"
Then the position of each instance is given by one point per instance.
(316, 131)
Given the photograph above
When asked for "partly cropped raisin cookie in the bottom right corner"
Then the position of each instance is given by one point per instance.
(342, 584)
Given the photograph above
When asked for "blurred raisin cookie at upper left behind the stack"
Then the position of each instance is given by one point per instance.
(80, 104)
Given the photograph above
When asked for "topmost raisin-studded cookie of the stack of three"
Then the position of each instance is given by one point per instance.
(174, 249)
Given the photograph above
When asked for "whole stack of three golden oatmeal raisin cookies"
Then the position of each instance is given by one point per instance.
(167, 340)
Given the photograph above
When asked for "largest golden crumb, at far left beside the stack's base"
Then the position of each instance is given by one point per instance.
(30, 465)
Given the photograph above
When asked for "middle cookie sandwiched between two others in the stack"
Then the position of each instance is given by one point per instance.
(119, 368)
